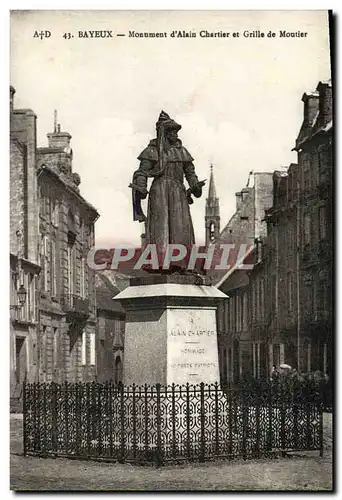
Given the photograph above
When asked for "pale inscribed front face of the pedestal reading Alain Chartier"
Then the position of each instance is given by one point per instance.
(192, 346)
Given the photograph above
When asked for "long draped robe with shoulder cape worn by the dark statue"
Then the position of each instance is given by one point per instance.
(168, 213)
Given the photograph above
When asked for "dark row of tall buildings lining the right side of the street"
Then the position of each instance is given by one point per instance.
(281, 311)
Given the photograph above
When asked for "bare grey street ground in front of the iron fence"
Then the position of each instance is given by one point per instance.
(297, 472)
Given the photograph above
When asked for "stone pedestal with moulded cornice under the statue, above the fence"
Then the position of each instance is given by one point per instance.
(170, 334)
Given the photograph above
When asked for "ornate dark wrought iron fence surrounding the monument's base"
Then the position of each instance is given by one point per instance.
(145, 424)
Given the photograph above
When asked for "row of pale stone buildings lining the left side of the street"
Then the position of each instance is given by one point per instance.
(53, 334)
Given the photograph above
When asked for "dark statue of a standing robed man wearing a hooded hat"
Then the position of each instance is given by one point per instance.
(167, 161)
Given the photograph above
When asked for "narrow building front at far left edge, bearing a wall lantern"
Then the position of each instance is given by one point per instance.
(24, 261)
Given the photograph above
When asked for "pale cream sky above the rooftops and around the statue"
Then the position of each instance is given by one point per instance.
(238, 99)
